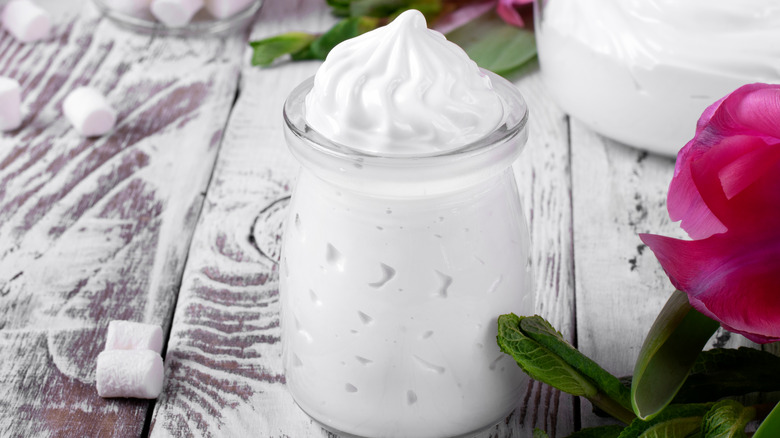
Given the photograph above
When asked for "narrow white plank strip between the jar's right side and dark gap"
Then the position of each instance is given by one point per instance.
(544, 184)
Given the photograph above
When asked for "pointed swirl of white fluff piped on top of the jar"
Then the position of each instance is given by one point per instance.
(402, 89)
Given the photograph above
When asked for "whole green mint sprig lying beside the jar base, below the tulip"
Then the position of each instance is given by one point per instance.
(543, 353)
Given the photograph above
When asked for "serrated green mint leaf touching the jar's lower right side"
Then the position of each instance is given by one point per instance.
(544, 355)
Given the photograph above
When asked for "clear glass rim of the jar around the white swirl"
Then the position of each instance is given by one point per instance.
(513, 122)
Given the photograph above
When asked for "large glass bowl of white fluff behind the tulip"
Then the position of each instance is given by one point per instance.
(643, 71)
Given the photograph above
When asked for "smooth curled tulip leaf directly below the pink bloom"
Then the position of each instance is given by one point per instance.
(670, 349)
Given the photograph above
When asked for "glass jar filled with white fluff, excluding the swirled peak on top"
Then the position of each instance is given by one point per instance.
(393, 273)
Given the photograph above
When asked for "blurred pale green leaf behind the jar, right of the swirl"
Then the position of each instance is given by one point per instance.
(495, 45)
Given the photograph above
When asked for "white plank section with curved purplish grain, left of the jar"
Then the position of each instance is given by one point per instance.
(224, 373)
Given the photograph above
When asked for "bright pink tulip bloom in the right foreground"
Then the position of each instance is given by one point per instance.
(726, 192)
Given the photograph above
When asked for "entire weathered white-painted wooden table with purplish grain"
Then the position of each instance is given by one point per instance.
(175, 219)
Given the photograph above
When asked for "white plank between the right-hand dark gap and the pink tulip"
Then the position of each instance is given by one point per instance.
(618, 192)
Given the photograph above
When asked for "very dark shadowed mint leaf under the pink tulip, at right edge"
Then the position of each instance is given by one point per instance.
(722, 372)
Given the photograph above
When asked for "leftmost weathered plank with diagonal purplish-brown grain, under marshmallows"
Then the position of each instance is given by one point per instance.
(98, 229)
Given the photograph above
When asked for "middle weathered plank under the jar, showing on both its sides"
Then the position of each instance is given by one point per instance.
(224, 372)
